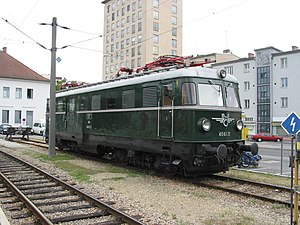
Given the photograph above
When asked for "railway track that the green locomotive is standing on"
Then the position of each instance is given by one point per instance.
(263, 191)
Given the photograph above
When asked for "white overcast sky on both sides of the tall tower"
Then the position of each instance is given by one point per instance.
(208, 27)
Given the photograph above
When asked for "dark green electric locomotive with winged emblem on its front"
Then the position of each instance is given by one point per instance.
(185, 120)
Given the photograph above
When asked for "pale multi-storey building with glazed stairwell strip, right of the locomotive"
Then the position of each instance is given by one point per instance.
(268, 87)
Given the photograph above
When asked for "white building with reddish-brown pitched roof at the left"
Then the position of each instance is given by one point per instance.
(23, 92)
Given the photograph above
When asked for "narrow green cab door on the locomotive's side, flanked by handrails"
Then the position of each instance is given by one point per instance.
(166, 111)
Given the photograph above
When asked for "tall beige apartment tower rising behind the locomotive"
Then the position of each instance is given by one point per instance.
(138, 31)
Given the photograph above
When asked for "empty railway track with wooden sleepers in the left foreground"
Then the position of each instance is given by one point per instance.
(49, 200)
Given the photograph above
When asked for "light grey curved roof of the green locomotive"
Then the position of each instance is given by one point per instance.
(196, 72)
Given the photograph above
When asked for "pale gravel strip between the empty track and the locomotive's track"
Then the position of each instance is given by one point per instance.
(160, 200)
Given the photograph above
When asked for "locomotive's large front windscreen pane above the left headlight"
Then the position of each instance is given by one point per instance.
(210, 94)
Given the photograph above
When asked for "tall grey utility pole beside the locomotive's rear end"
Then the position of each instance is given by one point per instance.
(52, 107)
